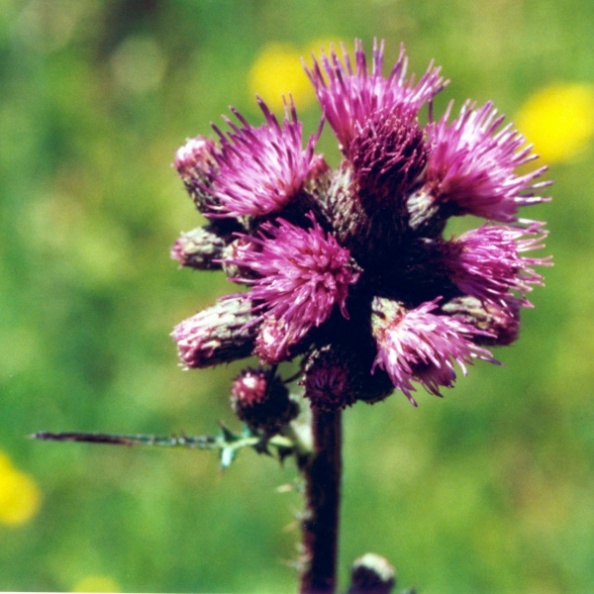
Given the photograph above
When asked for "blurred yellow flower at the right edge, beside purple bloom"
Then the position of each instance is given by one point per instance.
(559, 120)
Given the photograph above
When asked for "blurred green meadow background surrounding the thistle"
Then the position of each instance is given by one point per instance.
(491, 490)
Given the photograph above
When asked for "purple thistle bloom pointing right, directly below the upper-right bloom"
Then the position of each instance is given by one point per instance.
(486, 262)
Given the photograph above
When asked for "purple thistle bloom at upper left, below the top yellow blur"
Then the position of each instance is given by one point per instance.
(260, 170)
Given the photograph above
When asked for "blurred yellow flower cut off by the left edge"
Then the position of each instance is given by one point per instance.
(19, 495)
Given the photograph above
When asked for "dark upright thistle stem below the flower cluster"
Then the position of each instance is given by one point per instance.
(321, 518)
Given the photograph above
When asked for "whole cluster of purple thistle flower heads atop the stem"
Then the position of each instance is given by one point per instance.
(349, 268)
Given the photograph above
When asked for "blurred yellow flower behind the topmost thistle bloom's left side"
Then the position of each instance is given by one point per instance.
(277, 71)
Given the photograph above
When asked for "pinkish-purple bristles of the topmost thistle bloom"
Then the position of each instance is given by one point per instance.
(349, 96)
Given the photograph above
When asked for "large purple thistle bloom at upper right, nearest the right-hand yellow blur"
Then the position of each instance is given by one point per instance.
(471, 165)
